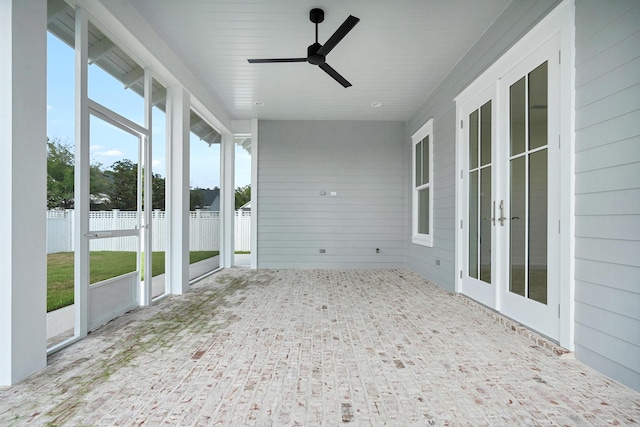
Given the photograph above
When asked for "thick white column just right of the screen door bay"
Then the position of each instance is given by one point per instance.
(177, 256)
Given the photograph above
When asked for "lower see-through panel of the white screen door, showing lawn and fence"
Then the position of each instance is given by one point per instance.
(112, 257)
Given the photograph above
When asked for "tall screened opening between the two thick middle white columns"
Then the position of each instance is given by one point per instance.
(204, 178)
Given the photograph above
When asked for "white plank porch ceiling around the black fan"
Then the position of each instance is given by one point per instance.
(397, 55)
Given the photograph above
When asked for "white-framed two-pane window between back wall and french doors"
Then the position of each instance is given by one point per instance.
(422, 227)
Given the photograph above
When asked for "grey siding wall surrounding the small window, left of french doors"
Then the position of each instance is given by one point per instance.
(517, 19)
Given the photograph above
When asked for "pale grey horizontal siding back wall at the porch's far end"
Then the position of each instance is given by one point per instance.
(362, 163)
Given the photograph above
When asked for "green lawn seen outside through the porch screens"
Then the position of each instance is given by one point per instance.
(102, 266)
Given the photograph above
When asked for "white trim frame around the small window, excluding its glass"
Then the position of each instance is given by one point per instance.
(419, 136)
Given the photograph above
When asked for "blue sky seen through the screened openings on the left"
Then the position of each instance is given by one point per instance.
(110, 144)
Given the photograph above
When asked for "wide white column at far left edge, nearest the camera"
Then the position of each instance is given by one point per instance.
(23, 167)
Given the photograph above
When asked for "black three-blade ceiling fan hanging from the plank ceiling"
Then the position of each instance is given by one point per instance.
(316, 53)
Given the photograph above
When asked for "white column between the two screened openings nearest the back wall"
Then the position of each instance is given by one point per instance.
(227, 201)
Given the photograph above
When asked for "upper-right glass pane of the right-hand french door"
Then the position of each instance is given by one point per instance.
(538, 107)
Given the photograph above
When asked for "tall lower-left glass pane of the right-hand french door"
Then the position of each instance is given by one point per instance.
(517, 236)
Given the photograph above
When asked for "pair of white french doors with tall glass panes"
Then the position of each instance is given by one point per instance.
(510, 198)
